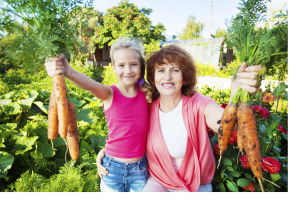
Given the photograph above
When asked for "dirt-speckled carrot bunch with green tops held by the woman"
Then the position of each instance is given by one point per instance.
(253, 50)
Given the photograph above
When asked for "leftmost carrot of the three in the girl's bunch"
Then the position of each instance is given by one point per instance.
(52, 117)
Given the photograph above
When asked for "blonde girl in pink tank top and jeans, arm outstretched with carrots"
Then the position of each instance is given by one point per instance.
(126, 111)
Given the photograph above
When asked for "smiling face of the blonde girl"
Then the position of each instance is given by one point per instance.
(127, 66)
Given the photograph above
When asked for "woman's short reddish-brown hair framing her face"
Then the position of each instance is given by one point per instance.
(173, 54)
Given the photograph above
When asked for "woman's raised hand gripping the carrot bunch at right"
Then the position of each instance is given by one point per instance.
(246, 79)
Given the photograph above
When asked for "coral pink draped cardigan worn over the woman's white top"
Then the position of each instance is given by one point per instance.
(198, 164)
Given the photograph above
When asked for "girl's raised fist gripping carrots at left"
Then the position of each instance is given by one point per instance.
(57, 65)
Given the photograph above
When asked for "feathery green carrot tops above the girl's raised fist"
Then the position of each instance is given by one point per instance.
(48, 28)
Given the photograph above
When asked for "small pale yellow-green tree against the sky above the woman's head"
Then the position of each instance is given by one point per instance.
(192, 30)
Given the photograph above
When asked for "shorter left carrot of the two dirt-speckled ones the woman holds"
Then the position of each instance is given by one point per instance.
(228, 121)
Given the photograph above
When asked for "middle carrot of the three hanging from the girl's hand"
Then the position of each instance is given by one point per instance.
(59, 86)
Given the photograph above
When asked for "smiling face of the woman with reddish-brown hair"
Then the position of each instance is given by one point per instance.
(168, 80)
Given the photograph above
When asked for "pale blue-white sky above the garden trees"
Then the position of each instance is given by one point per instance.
(173, 14)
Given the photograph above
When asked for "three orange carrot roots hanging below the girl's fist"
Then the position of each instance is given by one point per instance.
(62, 117)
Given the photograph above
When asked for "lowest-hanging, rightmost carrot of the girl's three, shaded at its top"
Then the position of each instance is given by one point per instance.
(72, 137)
